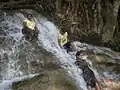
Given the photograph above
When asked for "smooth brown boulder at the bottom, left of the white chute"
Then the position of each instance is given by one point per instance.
(48, 80)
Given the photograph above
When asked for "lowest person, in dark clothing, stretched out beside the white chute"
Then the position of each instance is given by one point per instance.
(88, 74)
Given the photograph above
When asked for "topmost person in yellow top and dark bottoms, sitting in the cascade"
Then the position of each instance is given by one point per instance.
(30, 30)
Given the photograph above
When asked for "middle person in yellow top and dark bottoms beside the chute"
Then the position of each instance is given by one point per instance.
(64, 43)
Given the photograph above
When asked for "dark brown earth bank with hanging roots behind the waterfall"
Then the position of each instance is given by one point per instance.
(91, 21)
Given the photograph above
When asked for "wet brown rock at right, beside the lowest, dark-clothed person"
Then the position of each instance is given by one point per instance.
(104, 63)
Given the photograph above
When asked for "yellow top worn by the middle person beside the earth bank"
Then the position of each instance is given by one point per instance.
(63, 39)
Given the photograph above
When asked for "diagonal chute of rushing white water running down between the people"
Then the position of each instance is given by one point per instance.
(49, 39)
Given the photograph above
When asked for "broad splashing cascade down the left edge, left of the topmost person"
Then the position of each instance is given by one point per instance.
(10, 66)
